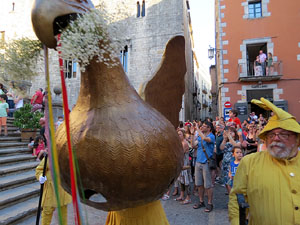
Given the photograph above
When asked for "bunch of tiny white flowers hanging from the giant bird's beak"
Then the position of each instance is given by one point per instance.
(91, 35)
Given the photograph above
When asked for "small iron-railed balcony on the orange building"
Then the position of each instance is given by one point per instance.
(247, 72)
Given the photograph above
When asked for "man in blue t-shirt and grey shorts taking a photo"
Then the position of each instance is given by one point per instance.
(205, 142)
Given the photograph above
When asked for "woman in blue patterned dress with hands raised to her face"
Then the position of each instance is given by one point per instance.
(230, 140)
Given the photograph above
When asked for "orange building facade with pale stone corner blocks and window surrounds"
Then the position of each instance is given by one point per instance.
(243, 29)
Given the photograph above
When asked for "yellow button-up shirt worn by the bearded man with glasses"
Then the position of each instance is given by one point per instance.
(272, 188)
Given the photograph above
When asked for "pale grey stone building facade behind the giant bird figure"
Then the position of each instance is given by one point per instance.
(146, 35)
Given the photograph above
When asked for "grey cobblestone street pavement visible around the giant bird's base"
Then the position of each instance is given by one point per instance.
(177, 214)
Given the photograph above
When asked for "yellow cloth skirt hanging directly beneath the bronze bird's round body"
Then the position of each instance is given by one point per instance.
(149, 214)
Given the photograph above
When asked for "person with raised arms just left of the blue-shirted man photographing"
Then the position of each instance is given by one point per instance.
(185, 177)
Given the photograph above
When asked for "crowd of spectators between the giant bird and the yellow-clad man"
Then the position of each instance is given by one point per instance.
(219, 141)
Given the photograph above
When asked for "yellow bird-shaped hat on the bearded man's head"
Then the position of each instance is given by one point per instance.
(280, 119)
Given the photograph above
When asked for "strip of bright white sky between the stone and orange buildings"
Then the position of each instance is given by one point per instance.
(203, 23)
